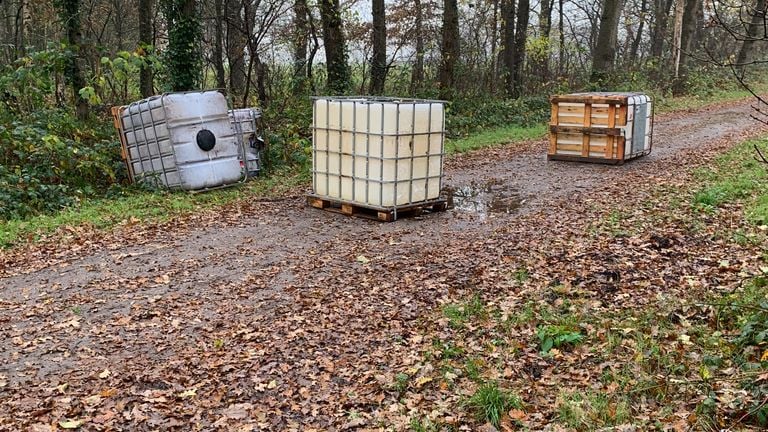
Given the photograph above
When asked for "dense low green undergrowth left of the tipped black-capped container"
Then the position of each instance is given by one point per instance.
(49, 160)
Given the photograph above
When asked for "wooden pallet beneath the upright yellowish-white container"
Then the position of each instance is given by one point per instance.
(384, 214)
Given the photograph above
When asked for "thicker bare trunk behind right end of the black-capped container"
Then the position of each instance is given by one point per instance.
(236, 44)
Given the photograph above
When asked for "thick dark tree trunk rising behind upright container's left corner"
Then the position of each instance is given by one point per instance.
(335, 46)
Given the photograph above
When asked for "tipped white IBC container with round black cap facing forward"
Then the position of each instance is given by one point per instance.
(182, 140)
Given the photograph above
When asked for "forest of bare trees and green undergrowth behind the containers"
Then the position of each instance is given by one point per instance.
(64, 63)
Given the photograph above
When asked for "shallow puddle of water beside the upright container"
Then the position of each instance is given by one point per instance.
(484, 199)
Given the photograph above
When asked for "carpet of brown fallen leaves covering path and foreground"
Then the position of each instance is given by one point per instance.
(314, 330)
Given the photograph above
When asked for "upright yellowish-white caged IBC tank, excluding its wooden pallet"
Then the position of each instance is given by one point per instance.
(378, 152)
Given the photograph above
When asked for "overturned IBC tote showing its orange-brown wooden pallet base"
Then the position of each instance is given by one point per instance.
(601, 127)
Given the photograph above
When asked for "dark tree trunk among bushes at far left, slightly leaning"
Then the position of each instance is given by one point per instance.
(69, 11)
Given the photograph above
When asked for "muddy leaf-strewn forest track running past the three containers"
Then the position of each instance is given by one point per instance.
(286, 312)
